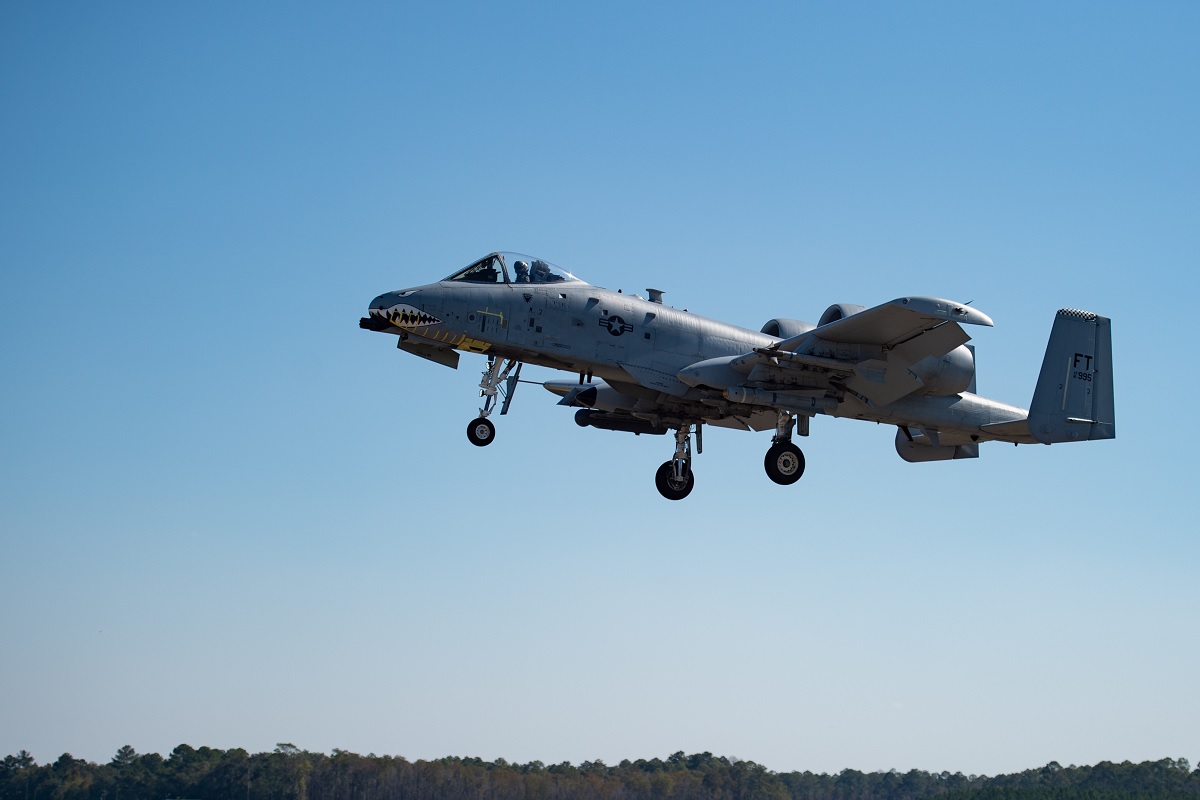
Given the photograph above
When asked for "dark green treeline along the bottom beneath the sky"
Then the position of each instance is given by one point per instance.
(293, 774)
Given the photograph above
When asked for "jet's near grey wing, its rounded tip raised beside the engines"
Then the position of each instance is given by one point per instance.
(892, 323)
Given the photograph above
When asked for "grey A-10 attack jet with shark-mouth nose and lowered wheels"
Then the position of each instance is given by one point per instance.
(645, 368)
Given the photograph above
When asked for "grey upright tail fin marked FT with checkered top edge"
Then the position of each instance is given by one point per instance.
(1073, 401)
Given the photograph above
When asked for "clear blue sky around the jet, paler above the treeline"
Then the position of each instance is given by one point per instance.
(232, 519)
